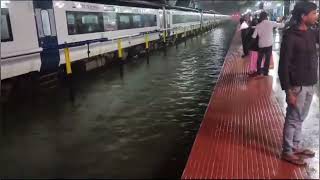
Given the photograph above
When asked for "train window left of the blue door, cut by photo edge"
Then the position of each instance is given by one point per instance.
(6, 33)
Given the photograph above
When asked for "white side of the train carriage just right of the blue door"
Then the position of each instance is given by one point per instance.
(109, 32)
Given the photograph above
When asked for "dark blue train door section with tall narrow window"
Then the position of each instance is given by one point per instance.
(47, 36)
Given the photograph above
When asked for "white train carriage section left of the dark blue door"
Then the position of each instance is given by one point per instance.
(20, 51)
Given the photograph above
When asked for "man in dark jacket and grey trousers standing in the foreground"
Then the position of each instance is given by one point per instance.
(298, 66)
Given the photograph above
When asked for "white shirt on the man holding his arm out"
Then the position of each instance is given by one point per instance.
(265, 32)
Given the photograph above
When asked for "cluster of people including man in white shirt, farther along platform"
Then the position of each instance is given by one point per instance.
(257, 41)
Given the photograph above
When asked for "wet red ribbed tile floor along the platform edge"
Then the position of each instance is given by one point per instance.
(240, 136)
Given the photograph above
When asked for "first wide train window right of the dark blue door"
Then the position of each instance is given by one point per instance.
(84, 22)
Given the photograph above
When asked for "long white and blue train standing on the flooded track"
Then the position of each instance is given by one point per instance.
(34, 33)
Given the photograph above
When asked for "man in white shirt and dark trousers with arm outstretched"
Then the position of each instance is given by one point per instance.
(265, 32)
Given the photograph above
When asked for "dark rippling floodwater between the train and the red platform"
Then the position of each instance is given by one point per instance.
(140, 126)
